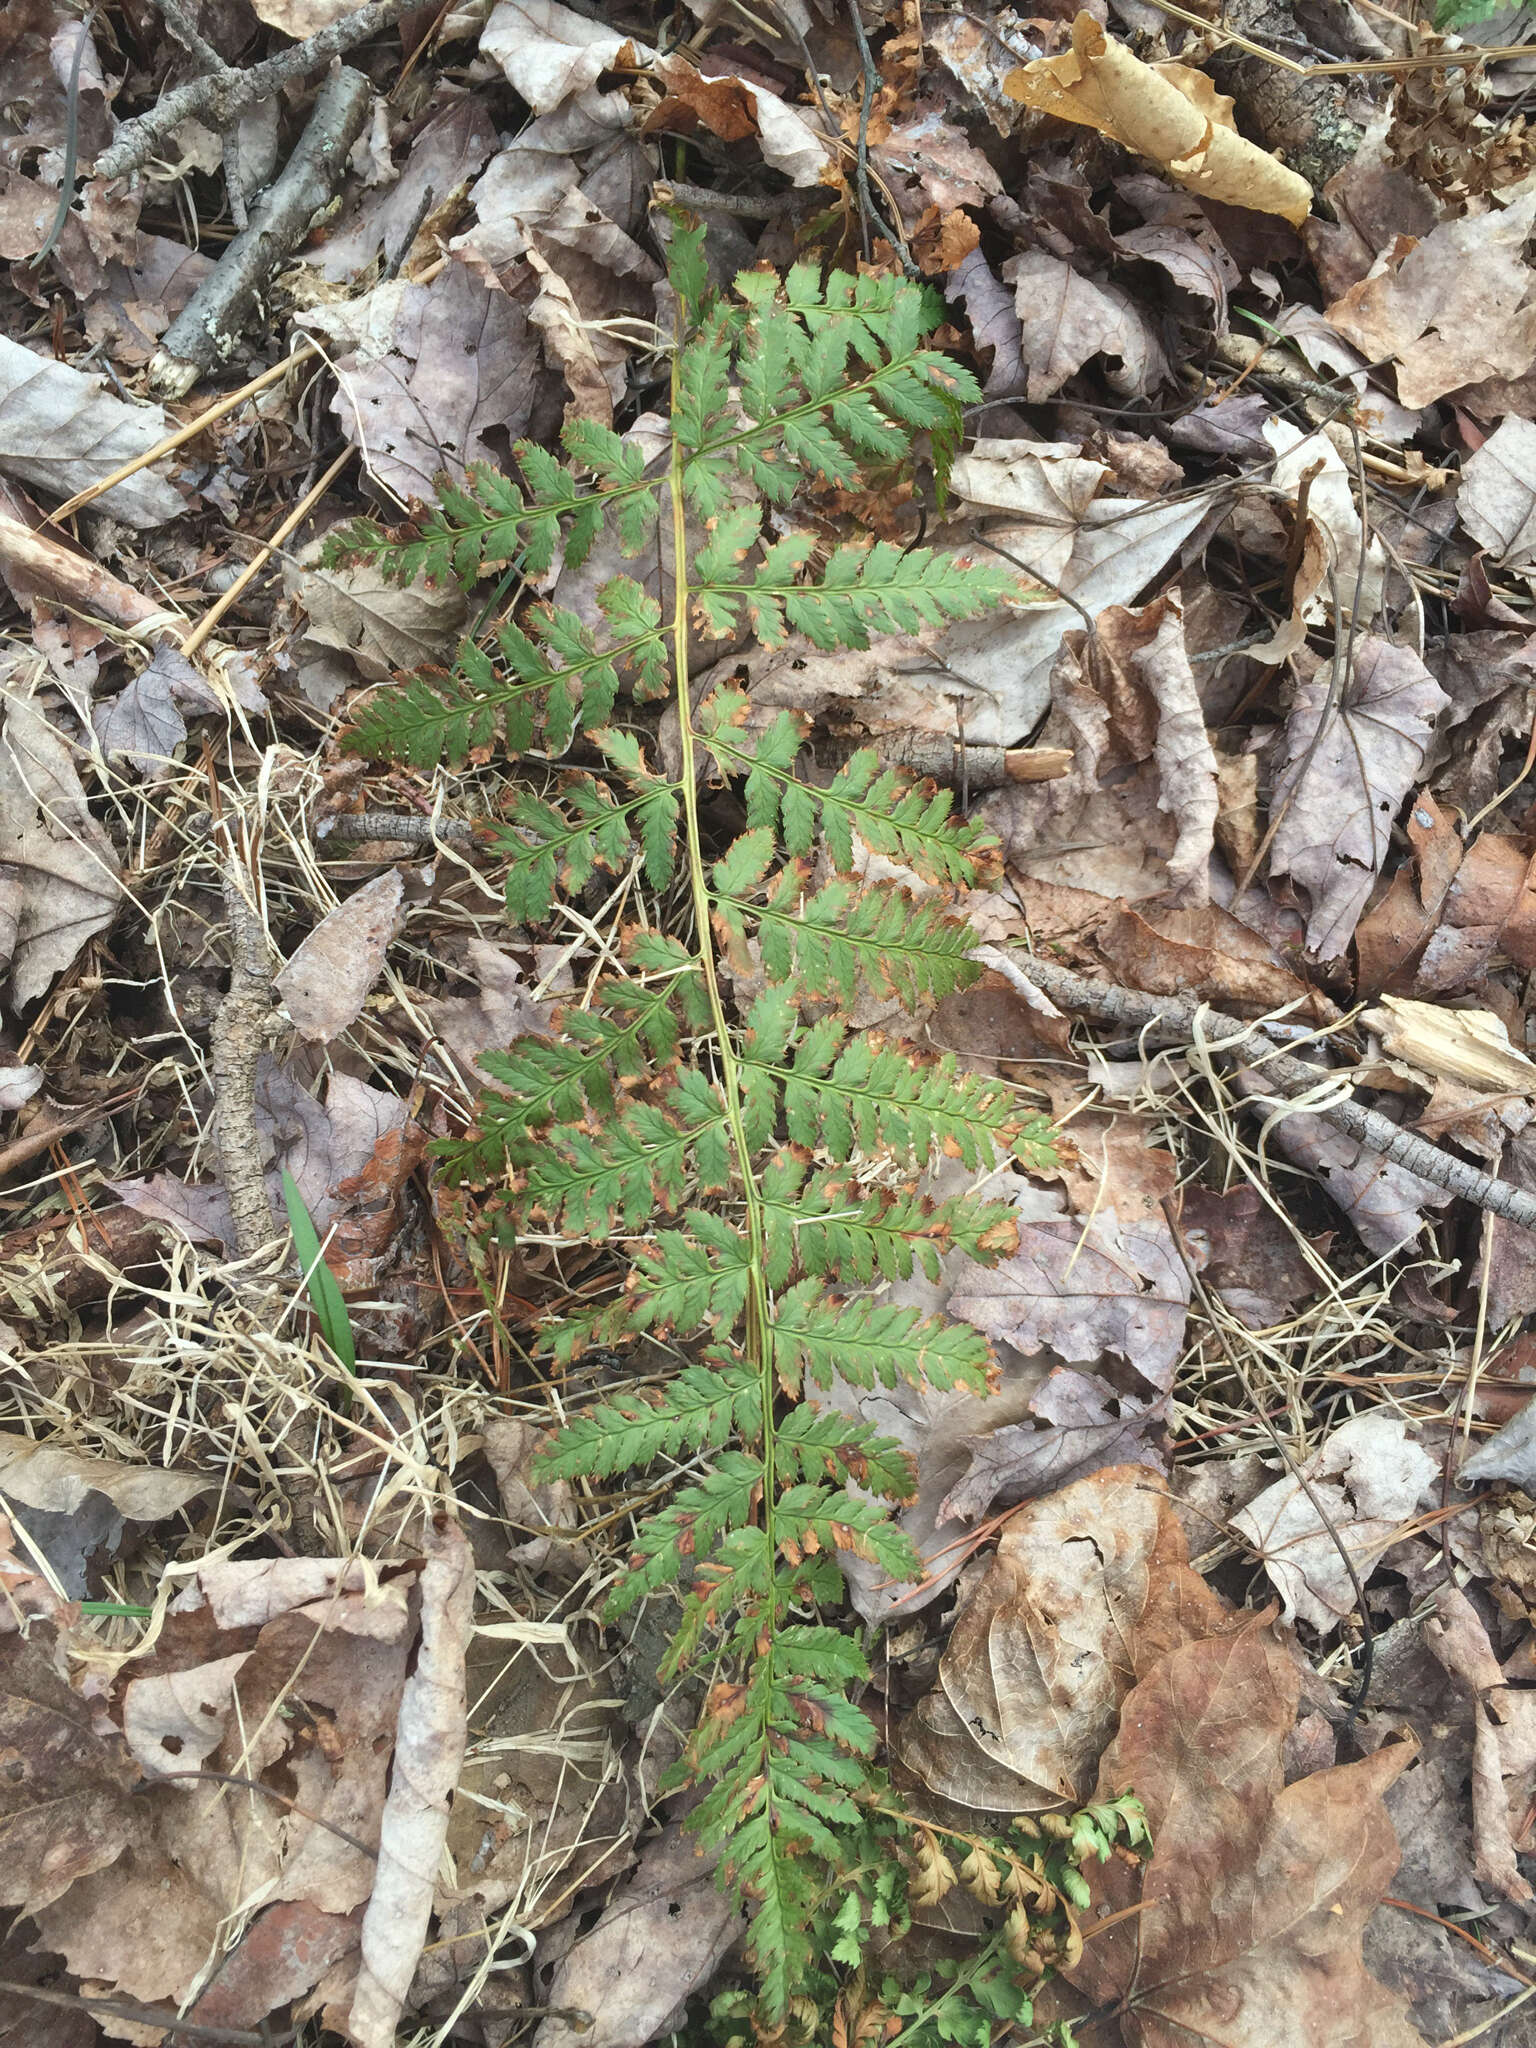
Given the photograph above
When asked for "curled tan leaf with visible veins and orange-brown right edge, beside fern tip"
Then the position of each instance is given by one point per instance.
(1086, 1590)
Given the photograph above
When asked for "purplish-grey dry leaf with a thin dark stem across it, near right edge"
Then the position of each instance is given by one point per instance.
(1338, 794)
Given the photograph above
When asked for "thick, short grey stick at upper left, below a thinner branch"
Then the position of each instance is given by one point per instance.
(210, 325)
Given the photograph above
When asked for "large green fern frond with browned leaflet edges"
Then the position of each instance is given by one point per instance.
(769, 1162)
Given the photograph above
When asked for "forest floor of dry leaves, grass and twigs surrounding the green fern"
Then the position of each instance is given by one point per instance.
(1258, 421)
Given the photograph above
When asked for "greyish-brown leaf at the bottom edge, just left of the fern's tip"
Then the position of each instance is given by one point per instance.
(660, 1938)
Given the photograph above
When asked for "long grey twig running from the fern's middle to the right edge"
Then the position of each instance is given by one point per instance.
(1283, 1074)
